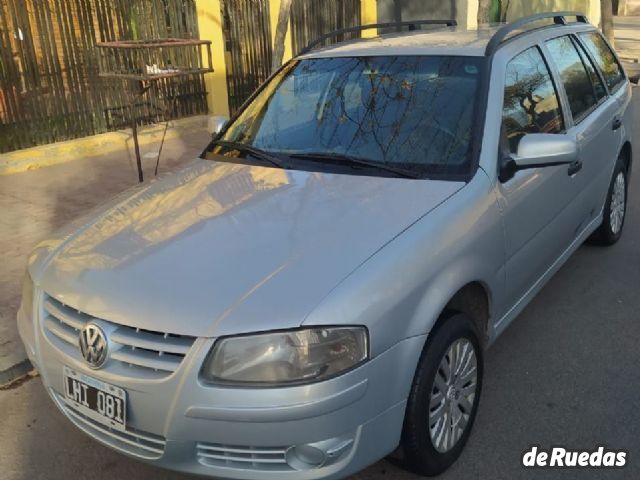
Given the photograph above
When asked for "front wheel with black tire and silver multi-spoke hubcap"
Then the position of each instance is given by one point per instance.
(431, 454)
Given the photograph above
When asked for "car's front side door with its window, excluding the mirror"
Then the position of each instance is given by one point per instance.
(539, 208)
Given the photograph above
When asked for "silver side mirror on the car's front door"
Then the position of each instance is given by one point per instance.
(537, 150)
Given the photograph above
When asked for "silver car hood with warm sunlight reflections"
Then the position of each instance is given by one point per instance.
(220, 248)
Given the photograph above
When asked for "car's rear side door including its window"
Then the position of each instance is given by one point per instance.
(593, 123)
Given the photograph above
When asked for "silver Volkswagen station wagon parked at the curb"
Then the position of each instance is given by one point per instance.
(317, 289)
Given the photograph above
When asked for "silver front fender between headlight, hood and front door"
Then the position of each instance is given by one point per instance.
(401, 291)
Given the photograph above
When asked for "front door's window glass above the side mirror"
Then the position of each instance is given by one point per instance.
(530, 99)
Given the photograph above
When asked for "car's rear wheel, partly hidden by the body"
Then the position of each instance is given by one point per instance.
(615, 208)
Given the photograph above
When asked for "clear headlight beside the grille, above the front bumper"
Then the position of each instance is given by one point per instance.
(281, 358)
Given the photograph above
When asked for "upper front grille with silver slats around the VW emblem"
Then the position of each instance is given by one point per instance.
(142, 352)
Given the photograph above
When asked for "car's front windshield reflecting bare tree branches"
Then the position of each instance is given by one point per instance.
(410, 112)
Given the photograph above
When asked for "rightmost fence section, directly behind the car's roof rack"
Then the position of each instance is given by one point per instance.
(310, 19)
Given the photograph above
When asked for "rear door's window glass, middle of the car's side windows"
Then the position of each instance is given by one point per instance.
(574, 76)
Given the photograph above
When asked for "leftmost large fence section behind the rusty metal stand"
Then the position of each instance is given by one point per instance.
(49, 84)
